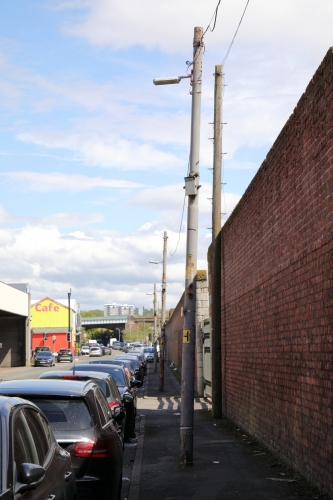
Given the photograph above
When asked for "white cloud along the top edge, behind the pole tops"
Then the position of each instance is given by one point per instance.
(168, 26)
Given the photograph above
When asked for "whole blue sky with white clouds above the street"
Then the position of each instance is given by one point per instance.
(93, 155)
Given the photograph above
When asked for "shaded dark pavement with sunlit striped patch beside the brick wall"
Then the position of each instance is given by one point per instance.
(228, 464)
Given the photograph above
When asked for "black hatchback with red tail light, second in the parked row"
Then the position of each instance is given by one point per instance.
(82, 424)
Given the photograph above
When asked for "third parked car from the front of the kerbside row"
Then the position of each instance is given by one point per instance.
(107, 385)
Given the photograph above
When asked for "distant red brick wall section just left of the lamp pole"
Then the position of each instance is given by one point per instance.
(174, 336)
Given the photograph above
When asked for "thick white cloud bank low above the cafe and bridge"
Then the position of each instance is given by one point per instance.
(98, 266)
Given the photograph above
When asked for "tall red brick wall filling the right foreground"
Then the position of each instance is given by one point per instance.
(277, 292)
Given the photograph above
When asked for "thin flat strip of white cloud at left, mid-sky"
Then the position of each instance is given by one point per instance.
(58, 181)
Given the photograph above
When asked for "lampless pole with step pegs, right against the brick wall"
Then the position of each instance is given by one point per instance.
(216, 249)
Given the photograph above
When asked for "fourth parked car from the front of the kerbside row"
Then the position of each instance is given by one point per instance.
(126, 388)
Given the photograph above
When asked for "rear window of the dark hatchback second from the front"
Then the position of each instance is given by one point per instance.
(65, 414)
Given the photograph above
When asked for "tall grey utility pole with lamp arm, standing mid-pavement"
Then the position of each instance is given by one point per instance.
(191, 190)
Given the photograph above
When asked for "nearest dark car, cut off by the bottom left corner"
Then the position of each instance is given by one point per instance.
(33, 465)
